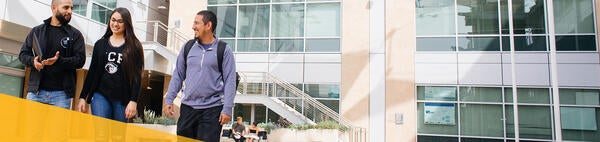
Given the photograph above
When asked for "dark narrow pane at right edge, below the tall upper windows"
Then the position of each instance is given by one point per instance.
(576, 43)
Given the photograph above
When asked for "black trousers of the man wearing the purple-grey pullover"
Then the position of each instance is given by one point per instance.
(201, 124)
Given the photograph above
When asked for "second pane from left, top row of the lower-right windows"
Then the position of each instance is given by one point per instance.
(481, 94)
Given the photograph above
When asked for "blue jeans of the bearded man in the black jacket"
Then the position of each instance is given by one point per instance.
(55, 98)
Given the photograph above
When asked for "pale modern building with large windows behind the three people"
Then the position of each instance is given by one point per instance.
(415, 70)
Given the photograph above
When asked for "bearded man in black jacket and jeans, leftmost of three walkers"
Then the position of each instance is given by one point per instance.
(52, 77)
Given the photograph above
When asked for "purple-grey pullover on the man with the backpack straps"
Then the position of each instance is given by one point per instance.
(204, 86)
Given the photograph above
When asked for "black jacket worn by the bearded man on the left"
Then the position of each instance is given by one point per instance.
(69, 61)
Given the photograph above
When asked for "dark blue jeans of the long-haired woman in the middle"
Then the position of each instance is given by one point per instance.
(108, 109)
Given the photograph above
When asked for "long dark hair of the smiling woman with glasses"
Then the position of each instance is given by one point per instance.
(133, 61)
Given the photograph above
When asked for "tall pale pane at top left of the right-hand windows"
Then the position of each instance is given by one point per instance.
(435, 17)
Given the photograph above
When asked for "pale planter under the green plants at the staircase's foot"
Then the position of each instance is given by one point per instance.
(311, 135)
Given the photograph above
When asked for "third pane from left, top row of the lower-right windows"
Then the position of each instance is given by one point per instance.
(529, 95)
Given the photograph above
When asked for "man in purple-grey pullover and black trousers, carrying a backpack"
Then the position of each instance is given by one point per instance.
(207, 99)
